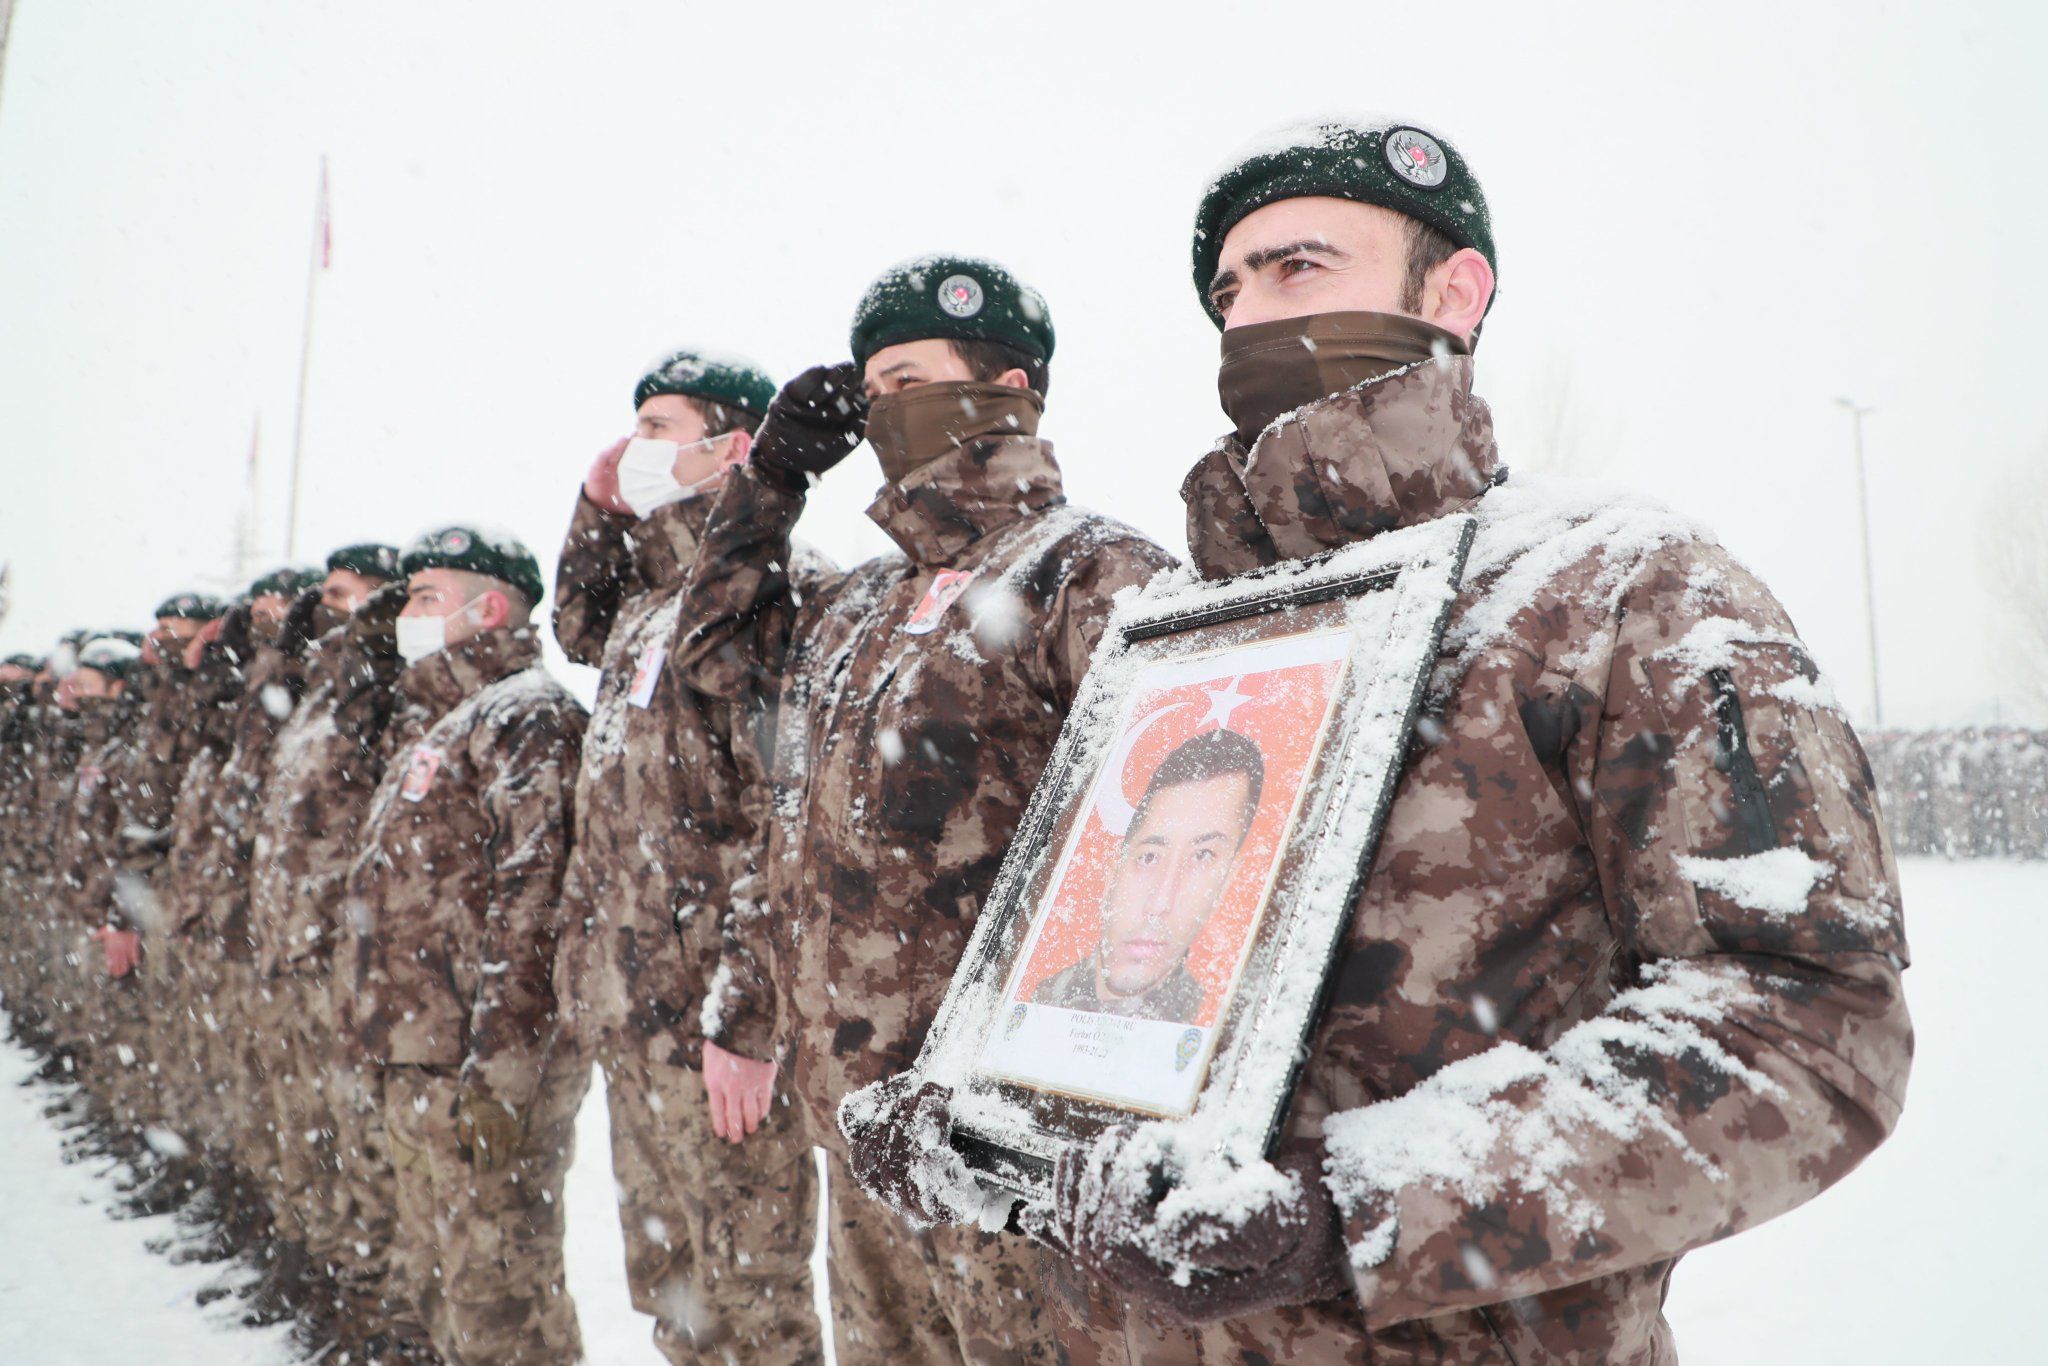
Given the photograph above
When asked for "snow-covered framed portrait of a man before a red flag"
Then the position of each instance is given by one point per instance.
(1158, 939)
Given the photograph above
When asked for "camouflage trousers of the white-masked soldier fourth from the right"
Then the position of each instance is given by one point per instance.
(480, 1254)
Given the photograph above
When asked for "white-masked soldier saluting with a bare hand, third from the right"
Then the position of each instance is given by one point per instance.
(718, 1236)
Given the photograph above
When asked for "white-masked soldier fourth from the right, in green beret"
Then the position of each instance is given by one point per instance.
(452, 992)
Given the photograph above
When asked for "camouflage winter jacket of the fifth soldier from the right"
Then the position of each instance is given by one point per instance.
(325, 767)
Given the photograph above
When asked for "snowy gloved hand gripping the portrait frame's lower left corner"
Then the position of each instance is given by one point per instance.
(900, 1144)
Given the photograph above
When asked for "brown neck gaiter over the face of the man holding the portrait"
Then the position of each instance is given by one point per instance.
(1275, 368)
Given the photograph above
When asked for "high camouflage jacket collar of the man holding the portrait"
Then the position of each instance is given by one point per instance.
(1390, 454)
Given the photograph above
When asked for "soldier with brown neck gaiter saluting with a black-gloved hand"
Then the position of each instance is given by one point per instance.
(921, 697)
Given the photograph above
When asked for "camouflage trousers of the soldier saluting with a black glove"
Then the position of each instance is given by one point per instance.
(945, 1295)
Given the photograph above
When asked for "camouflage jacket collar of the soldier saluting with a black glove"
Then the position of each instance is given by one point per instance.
(968, 495)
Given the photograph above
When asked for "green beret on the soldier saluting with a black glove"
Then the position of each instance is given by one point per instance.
(955, 298)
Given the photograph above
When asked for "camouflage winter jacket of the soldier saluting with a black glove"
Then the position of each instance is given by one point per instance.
(921, 699)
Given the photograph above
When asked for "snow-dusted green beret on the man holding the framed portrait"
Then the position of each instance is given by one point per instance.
(1392, 165)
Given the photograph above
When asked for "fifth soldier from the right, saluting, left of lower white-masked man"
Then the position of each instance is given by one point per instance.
(335, 1187)
